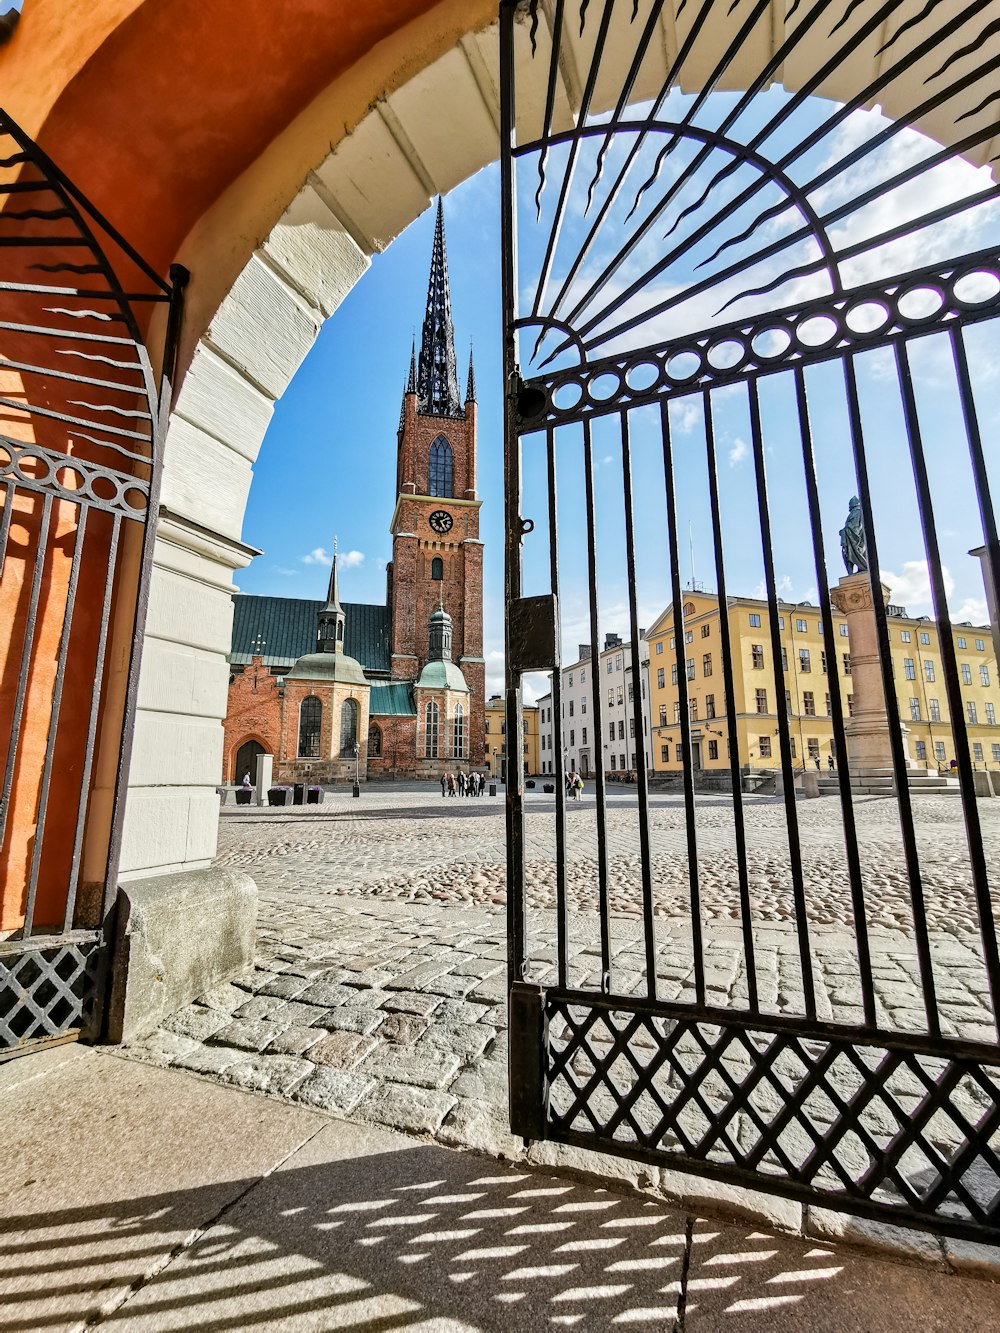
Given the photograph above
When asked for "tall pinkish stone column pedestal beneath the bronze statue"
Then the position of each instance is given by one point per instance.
(869, 747)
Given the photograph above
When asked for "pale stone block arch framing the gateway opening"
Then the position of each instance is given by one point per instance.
(429, 134)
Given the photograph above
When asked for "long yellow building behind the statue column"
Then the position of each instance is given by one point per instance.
(807, 679)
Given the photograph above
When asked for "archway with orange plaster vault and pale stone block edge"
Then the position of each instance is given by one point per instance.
(353, 149)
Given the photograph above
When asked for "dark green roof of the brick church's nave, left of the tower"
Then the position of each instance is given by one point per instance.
(283, 630)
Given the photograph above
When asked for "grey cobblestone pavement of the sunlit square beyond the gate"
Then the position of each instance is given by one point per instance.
(379, 990)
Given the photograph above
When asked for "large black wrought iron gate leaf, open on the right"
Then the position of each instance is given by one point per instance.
(734, 299)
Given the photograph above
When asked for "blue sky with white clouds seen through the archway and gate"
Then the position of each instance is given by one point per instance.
(327, 465)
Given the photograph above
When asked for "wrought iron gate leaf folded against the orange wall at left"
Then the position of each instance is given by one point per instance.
(81, 446)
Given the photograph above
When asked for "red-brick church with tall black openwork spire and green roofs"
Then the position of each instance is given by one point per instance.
(403, 682)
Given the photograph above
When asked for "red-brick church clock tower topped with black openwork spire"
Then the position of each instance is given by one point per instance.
(437, 550)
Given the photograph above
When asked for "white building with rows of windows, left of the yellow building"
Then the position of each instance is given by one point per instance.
(583, 750)
